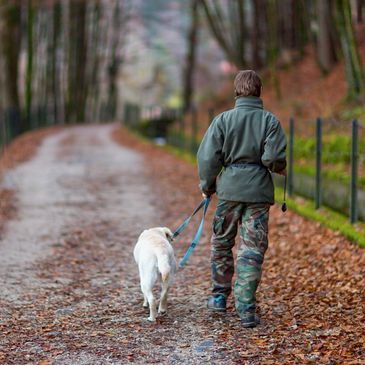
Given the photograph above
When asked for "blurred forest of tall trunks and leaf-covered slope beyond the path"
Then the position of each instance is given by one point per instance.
(73, 61)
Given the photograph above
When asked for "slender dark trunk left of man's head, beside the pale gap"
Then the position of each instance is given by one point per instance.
(190, 64)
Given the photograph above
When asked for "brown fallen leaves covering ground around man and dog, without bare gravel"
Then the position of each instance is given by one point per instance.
(87, 307)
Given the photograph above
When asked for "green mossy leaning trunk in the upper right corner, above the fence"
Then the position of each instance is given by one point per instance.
(354, 70)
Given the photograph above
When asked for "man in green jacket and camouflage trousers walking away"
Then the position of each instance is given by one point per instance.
(235, 159)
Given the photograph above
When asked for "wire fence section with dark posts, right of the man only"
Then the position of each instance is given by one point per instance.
(329, 166)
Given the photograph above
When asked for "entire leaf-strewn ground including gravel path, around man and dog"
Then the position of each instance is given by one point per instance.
(77, 299)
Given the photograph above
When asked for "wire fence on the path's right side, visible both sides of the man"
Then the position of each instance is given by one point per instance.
(326, 158)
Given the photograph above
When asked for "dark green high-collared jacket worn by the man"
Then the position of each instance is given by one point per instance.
(238, 151)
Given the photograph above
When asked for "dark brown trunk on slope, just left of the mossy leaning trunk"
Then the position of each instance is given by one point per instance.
(326, 40)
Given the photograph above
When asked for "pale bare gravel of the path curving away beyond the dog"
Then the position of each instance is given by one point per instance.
(77, 178)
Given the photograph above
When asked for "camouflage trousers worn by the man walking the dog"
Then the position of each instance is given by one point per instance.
(252, 218)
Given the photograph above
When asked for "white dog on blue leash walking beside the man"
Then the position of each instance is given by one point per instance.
(155, 259)
